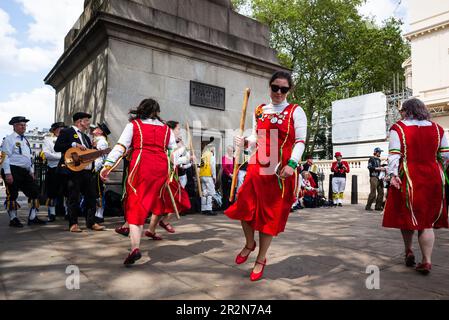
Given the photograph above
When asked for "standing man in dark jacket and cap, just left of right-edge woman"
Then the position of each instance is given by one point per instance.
(376, 184)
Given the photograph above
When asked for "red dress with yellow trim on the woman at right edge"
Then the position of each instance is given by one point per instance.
(420, 203)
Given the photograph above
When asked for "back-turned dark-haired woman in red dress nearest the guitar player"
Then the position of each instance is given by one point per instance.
(148, 173)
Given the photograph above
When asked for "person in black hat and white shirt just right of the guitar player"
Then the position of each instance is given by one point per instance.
(100, 142)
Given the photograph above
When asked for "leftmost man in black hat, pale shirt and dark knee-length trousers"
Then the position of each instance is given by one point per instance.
(18, 173)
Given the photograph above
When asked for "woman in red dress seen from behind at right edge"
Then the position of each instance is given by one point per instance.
(416, 199)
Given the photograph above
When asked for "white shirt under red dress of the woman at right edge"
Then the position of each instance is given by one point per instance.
(395, 143)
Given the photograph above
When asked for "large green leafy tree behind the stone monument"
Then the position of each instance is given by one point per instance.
(333, 52)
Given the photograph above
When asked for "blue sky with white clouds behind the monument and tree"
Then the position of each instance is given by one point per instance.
(31, 40)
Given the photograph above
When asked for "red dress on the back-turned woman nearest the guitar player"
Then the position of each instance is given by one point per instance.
(148, 172)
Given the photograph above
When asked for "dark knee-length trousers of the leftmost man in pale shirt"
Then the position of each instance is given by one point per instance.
(22, 182)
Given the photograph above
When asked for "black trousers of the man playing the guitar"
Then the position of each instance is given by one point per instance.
(81, 183)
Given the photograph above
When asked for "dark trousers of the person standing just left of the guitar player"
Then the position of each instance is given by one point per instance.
(56, 189)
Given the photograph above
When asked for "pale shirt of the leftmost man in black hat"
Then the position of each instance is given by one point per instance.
(18, 153)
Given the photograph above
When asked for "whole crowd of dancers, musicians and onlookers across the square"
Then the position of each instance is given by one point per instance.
(161, 175)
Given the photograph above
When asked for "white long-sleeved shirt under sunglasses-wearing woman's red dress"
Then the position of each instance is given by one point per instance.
(299, 122)
